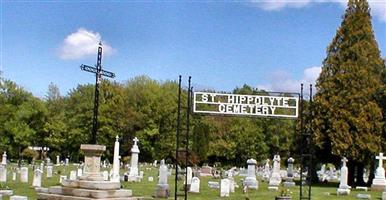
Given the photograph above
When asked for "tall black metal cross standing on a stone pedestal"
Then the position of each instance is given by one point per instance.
(99, 72)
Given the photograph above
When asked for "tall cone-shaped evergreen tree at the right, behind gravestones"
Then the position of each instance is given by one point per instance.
(348, 119)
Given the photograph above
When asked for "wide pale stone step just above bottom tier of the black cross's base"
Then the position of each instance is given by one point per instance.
(97, 194)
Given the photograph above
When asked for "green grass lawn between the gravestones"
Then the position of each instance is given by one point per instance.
(146, 189)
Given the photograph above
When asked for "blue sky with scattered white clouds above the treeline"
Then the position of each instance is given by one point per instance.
(273, 45)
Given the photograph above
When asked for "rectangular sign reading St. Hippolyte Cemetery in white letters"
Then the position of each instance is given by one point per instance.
(249, 105)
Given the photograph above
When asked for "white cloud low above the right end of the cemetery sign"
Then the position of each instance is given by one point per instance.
(281, 81)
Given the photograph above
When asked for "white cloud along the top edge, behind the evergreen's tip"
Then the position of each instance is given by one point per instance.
(378, 7)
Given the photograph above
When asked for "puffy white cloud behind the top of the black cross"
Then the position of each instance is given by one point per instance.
(82, 43)
